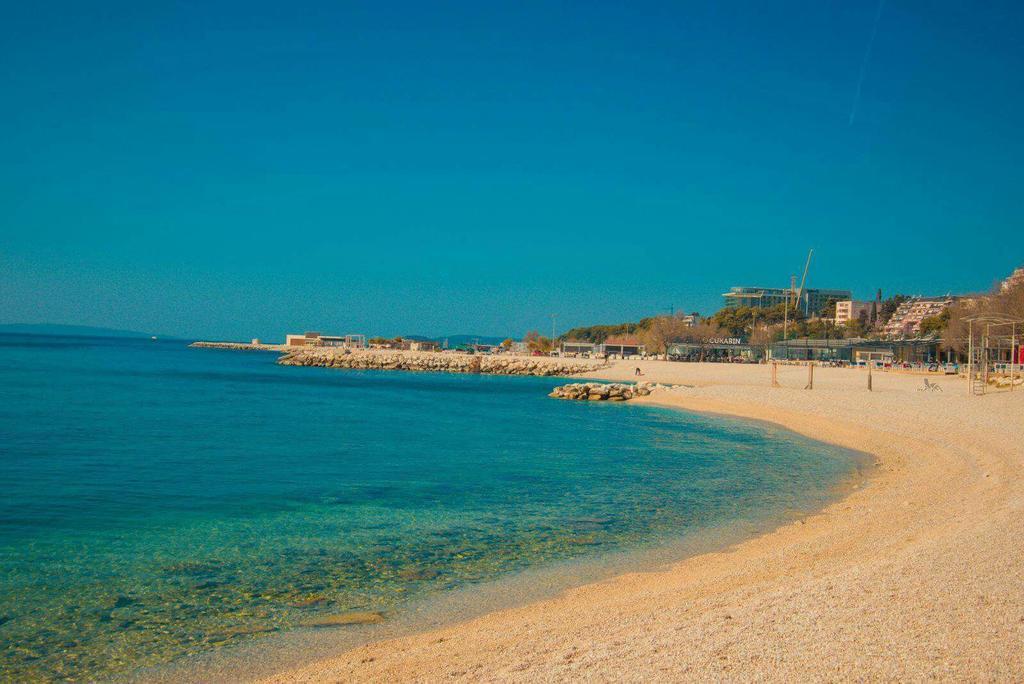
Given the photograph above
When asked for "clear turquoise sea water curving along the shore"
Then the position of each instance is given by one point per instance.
(163, 503)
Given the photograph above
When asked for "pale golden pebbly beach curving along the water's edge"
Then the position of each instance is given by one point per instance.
(917, 574)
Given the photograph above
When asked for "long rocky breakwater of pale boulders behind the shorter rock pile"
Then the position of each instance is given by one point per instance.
(438, 363)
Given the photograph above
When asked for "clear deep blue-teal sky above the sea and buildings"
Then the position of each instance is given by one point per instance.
(232, 170)
